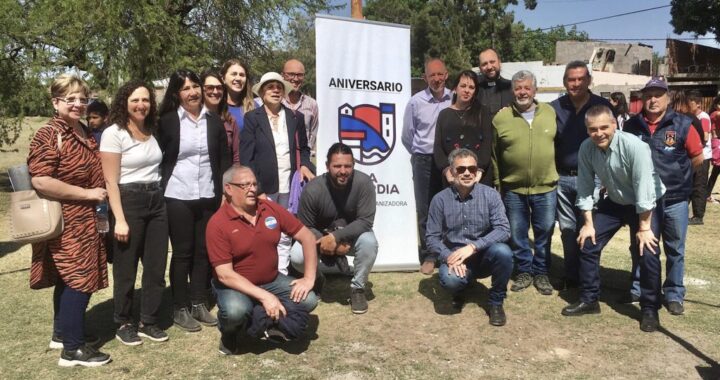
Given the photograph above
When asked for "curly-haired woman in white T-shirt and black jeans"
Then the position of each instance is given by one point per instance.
(131, 158)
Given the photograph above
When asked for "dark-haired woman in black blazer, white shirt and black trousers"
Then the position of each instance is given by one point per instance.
(195, 155)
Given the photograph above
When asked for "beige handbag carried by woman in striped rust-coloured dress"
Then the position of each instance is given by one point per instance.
(35, 217)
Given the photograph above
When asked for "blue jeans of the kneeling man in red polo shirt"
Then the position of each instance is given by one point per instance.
(234, 307)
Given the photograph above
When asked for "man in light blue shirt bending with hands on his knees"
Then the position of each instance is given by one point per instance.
(624, 165)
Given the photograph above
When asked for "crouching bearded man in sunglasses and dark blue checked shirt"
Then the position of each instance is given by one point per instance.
(467, 228)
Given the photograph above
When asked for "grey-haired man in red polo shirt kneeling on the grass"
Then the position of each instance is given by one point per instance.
(242, 240)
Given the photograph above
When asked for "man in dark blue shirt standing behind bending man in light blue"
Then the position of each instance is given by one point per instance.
(571, 132)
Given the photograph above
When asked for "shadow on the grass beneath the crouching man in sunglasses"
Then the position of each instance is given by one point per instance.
(430, 287)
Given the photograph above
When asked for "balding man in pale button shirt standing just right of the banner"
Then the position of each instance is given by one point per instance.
(418, 137)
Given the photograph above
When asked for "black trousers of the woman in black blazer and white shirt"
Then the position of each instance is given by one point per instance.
(187, 221)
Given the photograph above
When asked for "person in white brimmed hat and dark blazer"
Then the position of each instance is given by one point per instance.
(272, 136)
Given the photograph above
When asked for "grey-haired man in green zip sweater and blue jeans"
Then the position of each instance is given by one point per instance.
(524, 159)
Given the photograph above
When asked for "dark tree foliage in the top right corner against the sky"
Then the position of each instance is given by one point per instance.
(696, 16)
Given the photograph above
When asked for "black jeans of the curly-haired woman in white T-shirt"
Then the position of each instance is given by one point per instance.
(146, 216)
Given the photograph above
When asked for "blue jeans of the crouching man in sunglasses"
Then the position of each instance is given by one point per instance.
(495, 261)
